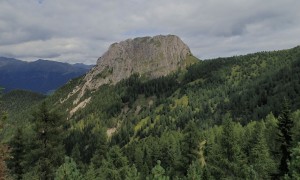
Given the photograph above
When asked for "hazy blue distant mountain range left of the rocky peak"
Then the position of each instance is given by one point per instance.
(42, 76)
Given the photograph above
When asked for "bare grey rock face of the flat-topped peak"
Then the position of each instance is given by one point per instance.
(151, 57)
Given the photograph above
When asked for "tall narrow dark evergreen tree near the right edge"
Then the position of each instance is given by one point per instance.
(285, 125)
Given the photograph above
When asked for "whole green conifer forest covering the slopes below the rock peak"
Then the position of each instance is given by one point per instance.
(224, 118)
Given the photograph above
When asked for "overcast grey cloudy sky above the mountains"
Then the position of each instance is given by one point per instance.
(82, 30)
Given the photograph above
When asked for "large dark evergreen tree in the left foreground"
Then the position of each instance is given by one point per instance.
(47, 149)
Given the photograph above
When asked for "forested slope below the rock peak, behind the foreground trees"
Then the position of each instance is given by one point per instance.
(247, 87)
